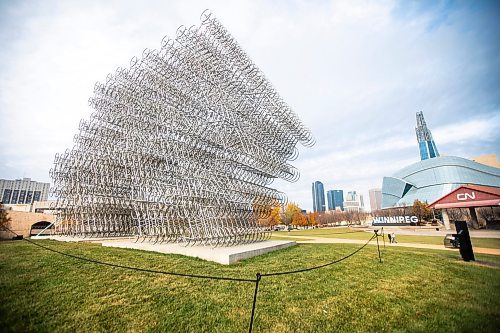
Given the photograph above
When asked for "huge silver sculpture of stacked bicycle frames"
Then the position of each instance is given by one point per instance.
(180, 147)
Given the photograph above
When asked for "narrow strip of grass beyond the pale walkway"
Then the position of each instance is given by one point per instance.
(492, 243)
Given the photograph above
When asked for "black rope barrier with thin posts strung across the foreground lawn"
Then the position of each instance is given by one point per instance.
(256, 280)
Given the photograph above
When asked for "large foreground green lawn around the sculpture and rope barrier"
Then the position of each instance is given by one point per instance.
(413, 290)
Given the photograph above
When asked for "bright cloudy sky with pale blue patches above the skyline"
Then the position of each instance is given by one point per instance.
(355, 72)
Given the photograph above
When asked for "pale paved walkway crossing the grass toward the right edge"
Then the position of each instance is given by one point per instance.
(324, 240)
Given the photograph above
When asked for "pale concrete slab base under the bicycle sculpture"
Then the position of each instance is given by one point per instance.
(222, 255)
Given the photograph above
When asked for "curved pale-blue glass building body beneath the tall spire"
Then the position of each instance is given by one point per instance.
(431, 179)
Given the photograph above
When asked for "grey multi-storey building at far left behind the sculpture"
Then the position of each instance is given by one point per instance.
(23, 191)
